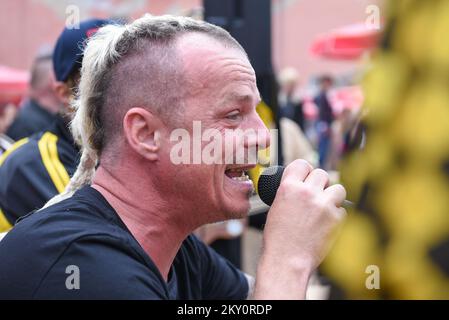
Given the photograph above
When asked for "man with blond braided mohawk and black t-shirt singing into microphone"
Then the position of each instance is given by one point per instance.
(122, 228)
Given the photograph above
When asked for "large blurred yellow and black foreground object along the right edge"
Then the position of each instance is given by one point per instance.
(400, 180)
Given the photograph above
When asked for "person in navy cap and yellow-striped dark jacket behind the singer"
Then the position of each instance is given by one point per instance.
(37, 168)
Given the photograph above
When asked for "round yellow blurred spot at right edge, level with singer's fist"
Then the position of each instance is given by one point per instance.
(413, 203)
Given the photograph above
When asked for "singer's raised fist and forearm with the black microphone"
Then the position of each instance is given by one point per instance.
(304, 213)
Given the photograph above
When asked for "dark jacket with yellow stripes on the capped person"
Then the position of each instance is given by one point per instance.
(33, 170)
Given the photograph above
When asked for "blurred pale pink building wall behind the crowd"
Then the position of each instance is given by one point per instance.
(26, 25)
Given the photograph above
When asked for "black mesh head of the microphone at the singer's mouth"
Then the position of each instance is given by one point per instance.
(269, 182)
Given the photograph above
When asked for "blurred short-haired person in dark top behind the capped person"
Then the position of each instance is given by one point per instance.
(39, 110)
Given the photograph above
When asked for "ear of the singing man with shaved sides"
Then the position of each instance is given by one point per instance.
(142, 129)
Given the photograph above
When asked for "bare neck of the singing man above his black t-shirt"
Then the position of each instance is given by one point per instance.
(158, 226)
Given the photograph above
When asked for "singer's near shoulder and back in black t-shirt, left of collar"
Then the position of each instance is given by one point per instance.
(45, 248)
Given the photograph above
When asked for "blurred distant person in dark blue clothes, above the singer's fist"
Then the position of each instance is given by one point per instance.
(325, 119)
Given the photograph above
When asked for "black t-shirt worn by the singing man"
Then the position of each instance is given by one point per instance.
(80, 249)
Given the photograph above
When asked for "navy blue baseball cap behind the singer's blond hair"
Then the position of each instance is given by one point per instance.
(68, 52)
